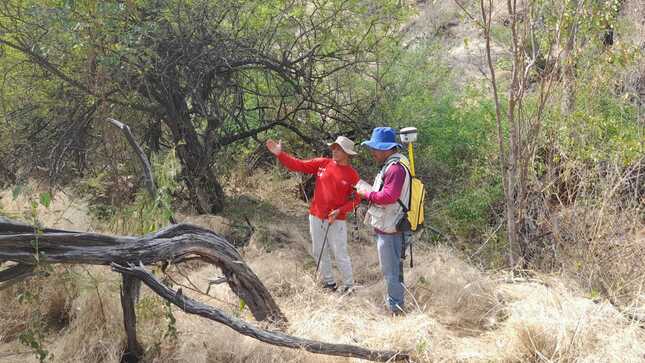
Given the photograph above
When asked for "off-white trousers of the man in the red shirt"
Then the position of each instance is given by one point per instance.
(337, 243)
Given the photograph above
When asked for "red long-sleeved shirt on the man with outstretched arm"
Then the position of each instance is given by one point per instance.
(334, 184)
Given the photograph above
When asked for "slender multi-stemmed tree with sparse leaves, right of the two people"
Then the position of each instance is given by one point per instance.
(544, 39)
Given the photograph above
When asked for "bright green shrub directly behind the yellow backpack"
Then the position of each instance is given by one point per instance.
(456, 151)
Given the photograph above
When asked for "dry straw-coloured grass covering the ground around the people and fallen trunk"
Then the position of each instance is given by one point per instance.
(457, 313)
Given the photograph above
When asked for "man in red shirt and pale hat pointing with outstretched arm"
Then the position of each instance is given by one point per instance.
(333, 199)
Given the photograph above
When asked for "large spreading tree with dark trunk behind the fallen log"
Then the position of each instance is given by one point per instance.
(206, 74)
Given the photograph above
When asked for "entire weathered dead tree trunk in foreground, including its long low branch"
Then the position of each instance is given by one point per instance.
(172, 244)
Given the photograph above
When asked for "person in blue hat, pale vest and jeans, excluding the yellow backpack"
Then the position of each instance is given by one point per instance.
(390, 188)
